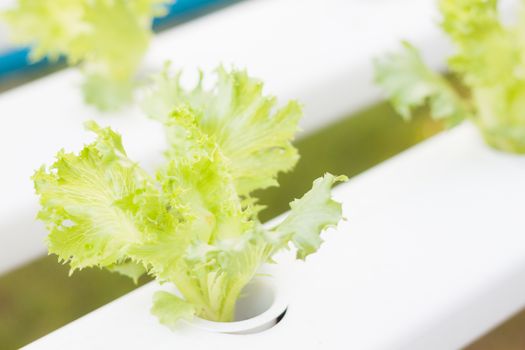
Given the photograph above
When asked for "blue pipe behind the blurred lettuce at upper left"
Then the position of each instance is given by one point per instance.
(17, 60)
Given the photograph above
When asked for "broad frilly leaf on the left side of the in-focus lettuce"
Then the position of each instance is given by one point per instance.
(80, 197)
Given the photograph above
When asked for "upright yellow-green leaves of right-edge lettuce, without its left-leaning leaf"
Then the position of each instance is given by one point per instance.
(489, 58)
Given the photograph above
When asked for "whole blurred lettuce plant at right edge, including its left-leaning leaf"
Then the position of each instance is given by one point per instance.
(488, 59)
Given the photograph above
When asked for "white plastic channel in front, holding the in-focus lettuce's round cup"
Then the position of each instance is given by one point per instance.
(432, 256)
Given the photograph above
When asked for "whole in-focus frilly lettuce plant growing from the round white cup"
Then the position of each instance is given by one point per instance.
(195, 222)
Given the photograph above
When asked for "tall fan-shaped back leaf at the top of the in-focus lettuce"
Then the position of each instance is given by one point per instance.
(251, 133)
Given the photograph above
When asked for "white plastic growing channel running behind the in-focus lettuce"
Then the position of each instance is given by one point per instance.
(318, 52)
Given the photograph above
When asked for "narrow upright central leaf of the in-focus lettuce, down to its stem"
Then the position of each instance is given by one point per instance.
(196, 255)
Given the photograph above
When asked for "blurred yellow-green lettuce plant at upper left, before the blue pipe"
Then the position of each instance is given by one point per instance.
(107, 37)
